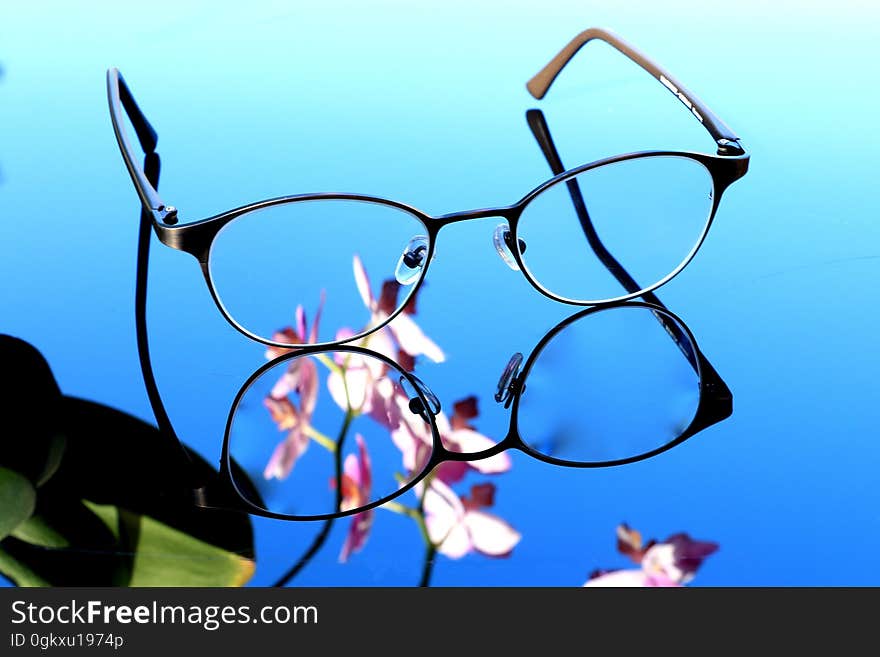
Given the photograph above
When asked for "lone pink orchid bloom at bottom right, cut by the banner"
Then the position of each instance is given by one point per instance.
(674, 562)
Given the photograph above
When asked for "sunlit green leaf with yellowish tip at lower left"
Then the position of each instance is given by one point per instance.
(164, 556)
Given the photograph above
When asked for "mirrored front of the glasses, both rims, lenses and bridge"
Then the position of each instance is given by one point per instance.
(604, 387)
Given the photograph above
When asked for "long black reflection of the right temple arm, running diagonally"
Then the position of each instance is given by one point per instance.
(715, 384)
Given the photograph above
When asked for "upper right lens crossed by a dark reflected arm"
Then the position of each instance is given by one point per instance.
(645, 215)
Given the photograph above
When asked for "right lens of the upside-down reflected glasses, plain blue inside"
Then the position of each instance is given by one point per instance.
(612, 385)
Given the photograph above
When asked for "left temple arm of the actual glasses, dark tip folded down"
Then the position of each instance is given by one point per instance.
(121, 100)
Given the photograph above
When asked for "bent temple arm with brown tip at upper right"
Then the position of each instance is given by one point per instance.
(725, 138)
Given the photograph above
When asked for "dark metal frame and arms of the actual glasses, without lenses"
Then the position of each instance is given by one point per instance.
(196, 238)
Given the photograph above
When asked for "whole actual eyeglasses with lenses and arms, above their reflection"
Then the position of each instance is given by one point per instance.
(651, 209)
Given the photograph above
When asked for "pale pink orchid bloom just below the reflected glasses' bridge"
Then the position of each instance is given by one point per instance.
(459, 526)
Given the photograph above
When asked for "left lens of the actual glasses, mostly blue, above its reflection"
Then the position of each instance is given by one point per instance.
(352, 262)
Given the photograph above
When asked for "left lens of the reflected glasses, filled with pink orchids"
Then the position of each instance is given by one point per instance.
(328, 432)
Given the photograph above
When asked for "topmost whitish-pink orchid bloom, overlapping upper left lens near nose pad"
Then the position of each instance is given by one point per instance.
(409, 337)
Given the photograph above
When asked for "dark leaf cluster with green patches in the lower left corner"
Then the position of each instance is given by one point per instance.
(112, 507)
